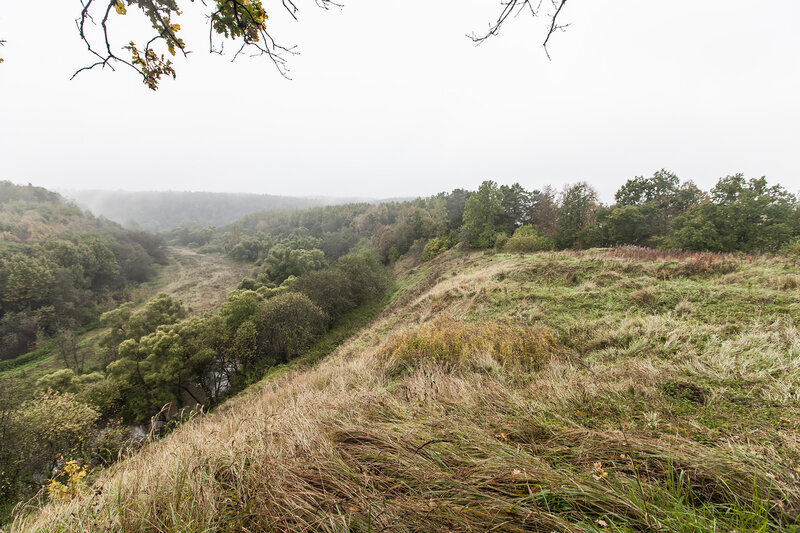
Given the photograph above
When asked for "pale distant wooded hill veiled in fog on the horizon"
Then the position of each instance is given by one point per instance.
(161, 210)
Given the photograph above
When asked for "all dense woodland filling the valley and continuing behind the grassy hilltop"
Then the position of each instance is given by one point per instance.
(60, 267)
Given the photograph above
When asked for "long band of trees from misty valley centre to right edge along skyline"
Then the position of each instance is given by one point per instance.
(736, 215)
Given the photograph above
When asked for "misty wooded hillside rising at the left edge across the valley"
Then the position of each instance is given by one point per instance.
(61, 266)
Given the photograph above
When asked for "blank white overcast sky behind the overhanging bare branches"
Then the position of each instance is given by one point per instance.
(391, 99)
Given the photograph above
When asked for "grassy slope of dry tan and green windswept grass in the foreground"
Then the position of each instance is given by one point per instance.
(570, 391)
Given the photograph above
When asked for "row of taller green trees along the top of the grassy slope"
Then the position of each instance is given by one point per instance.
(736, 215)
